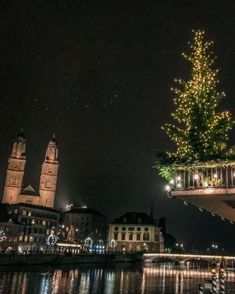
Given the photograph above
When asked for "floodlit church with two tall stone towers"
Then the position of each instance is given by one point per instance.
(14, 192)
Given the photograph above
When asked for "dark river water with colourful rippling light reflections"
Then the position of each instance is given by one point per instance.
(152, 278)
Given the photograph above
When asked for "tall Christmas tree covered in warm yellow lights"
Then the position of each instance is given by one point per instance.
(200, 132)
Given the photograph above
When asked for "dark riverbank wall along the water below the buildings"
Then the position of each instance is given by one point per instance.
(66, 259)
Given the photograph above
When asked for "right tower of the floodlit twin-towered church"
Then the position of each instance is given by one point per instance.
(49, 175)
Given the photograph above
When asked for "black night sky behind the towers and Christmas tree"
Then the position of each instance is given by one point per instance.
(98, 75)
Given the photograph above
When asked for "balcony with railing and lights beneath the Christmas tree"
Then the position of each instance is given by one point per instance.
(210, 187)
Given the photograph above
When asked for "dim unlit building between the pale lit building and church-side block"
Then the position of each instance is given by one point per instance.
(88, 224)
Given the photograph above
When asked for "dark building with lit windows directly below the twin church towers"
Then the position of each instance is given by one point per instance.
(27, 225)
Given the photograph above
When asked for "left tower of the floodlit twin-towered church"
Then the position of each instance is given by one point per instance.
(15, 170)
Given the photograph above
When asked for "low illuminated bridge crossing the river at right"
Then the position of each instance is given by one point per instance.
(183, 258)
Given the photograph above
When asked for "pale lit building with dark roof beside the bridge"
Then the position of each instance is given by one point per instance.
(135, 231)
